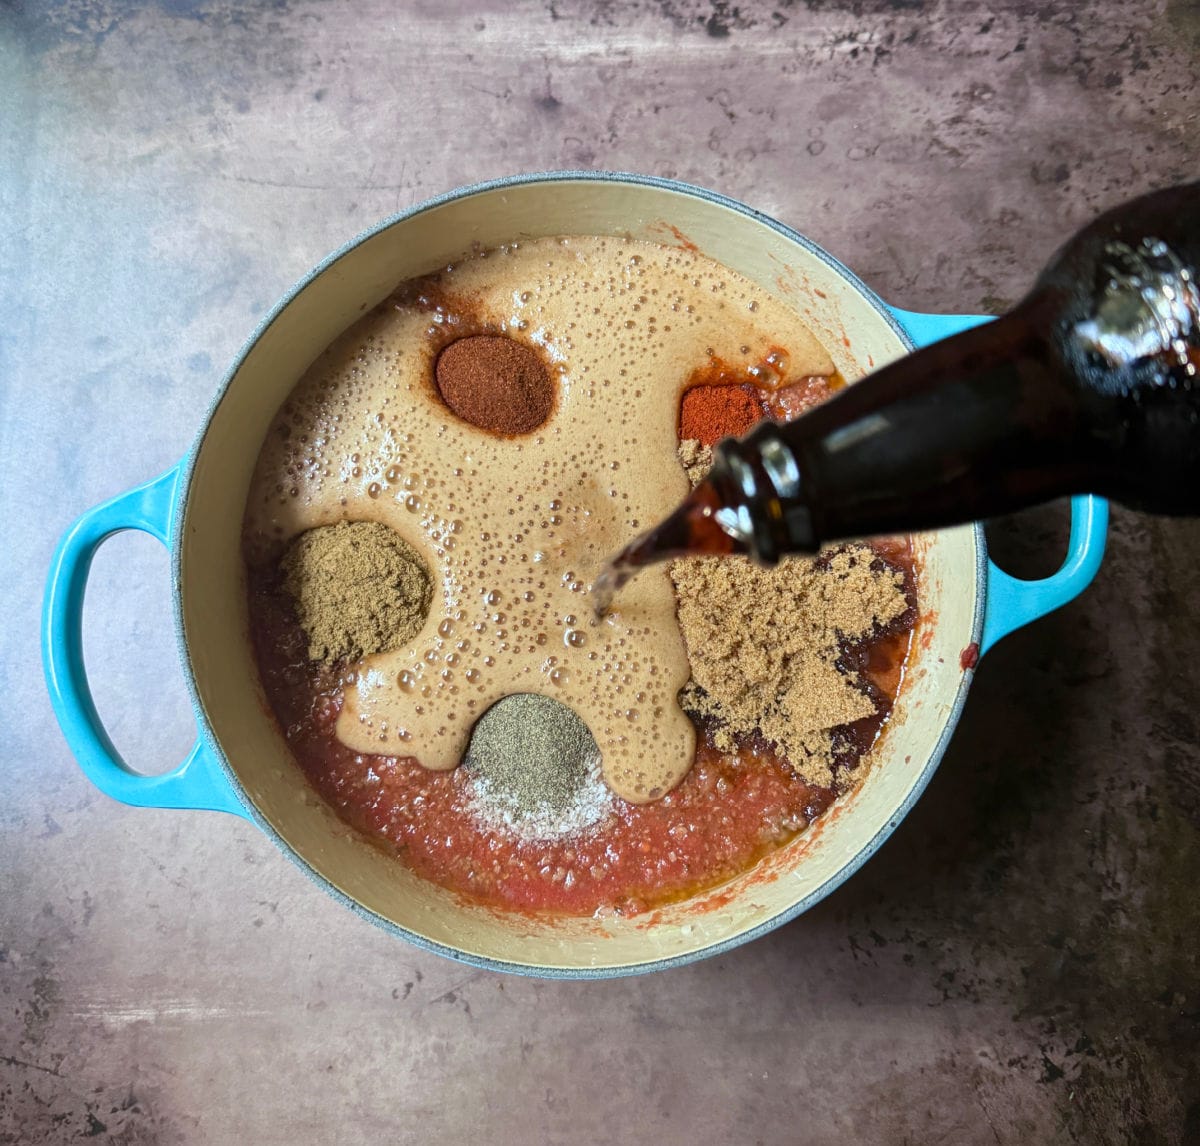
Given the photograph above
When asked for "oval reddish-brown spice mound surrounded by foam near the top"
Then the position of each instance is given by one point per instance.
(496, 383)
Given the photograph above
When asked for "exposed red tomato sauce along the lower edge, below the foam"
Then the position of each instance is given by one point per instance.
(719, 823)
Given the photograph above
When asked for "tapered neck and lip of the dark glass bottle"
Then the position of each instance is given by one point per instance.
(971, 428)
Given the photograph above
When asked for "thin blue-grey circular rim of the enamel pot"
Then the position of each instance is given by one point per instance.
(183, 494)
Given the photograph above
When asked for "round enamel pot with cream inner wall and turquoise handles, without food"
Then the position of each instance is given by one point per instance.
(241, 763)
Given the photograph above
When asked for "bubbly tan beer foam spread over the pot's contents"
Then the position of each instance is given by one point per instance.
(515, 530)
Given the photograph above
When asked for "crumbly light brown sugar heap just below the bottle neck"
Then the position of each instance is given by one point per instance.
(764, 644)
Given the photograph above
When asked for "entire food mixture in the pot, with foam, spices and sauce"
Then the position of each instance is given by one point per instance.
(428, 513)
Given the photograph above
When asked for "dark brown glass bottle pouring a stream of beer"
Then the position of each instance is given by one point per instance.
(1089, 386)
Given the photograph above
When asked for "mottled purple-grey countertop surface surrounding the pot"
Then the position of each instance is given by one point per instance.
(1018, 967)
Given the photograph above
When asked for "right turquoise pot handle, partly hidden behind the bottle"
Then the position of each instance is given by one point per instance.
(1011, 602)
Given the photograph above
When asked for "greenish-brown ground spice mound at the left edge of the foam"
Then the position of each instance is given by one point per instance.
(358, 589)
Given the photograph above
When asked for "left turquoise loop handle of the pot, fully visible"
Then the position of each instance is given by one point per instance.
(199, 782)
